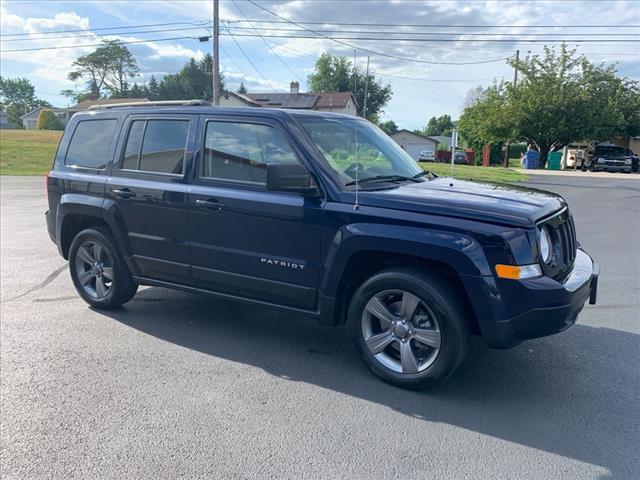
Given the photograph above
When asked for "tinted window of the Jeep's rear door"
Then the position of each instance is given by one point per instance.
(156, 146)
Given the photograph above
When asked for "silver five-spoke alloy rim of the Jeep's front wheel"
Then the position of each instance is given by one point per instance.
(401, 331)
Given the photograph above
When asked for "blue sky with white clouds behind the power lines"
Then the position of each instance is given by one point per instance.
(441, 89)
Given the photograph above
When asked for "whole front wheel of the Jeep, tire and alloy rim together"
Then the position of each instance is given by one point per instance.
(408, 327)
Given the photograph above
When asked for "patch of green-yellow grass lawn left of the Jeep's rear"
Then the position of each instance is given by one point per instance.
(27, 152)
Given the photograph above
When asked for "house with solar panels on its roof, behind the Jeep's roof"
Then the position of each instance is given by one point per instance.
(339, 102)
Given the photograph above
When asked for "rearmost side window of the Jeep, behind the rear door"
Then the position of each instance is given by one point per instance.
(89, 146)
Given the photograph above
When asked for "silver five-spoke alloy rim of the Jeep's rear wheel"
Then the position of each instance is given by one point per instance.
(94, 269)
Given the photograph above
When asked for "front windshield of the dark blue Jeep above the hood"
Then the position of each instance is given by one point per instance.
(357, 150)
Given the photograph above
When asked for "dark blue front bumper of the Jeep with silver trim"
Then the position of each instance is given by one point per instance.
(550, 306)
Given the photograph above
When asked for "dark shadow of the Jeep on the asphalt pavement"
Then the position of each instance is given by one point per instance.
(567, 395)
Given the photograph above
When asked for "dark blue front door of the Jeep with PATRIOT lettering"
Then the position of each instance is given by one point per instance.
(245, 240)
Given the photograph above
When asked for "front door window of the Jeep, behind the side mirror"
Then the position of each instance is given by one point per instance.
(242, 151)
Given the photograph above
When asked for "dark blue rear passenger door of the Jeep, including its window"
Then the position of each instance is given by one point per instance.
(148, 194)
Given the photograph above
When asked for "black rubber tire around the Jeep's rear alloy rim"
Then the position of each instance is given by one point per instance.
(121, 288)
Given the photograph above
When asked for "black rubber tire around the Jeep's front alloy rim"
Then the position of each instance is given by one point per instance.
(437, 295)
